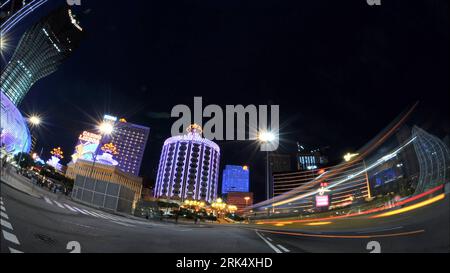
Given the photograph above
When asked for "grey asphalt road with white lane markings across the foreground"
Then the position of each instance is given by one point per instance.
(55, 224)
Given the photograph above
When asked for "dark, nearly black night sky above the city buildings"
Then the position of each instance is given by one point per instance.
(340, 70)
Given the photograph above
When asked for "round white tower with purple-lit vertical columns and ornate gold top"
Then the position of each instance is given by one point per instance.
(188, 167)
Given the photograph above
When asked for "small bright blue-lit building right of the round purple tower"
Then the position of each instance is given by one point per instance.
(235, 179)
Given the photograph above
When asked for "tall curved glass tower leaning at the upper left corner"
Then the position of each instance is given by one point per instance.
(40, 51)
